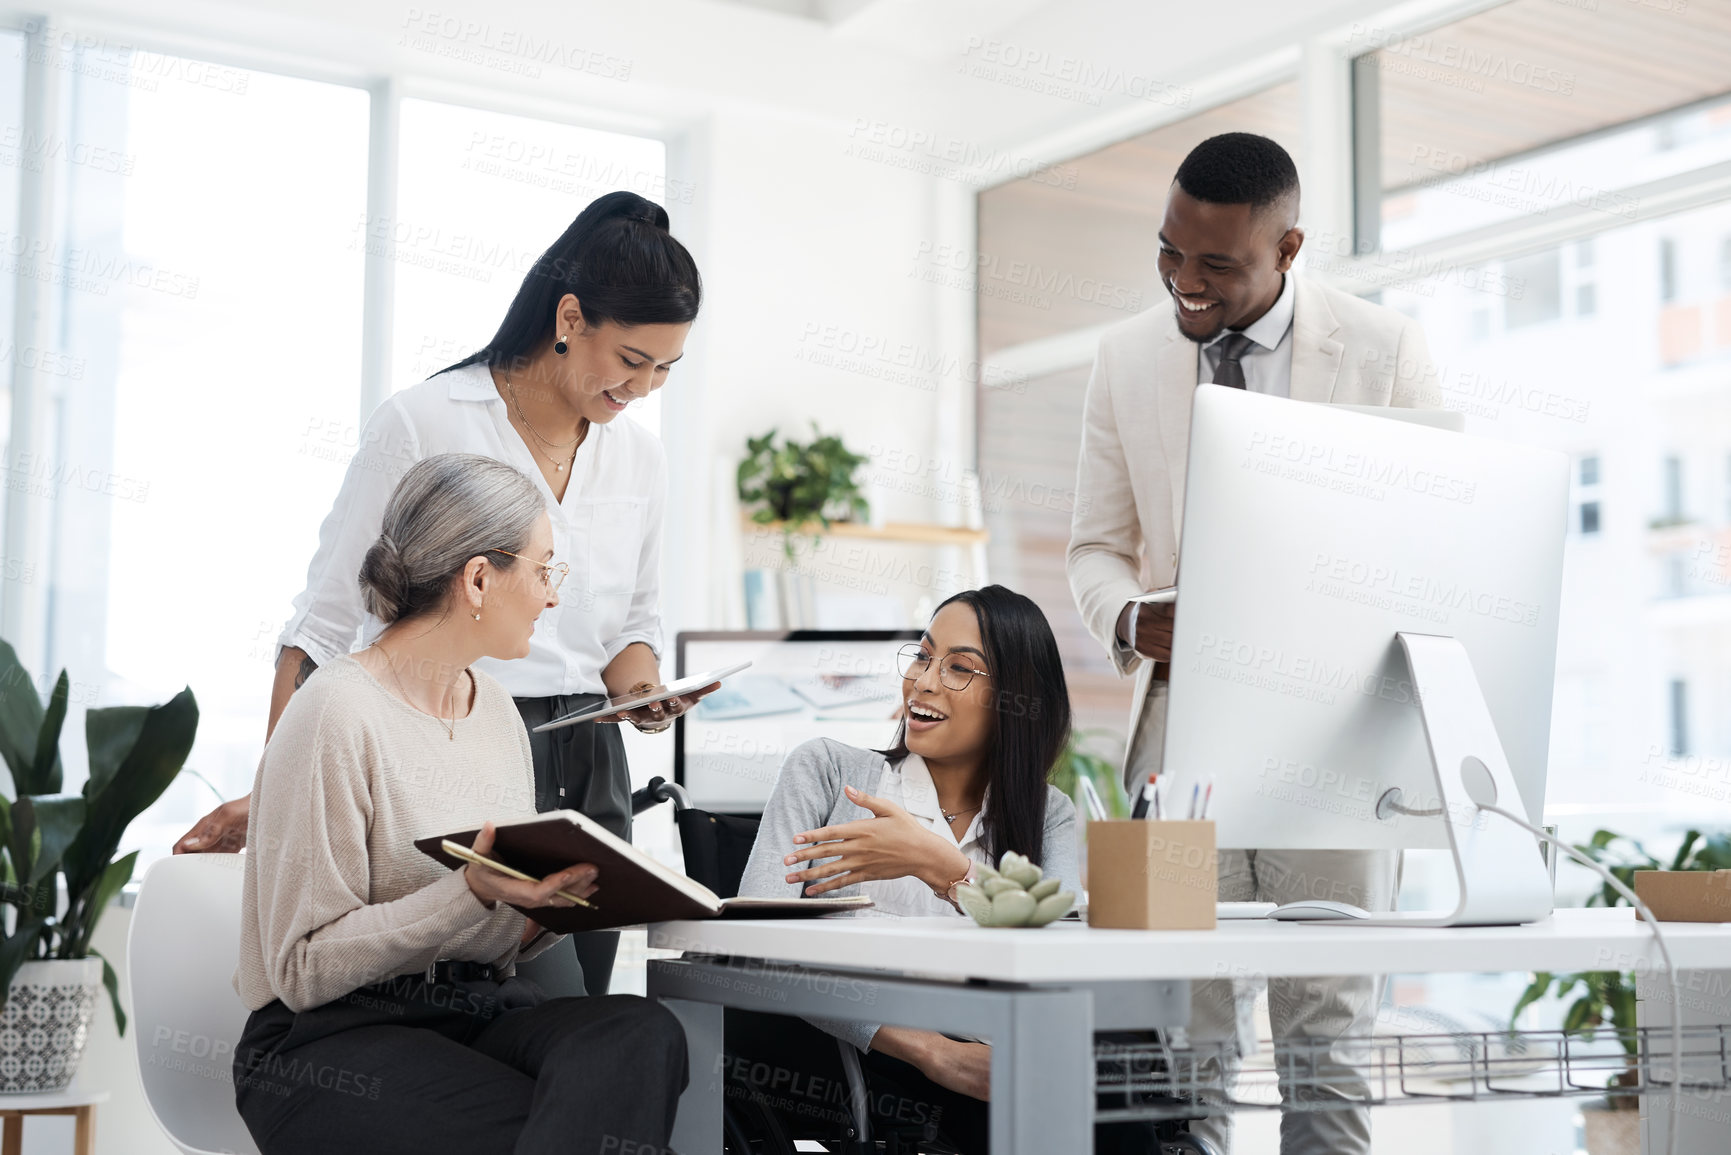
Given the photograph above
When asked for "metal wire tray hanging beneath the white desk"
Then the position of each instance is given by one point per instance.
(1157, 1080)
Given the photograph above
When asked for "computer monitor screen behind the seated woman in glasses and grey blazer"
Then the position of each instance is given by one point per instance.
(802, 685)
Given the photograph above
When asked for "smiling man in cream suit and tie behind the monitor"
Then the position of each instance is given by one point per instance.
(1240, 318)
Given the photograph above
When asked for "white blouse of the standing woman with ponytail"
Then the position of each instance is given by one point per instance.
(608, 529)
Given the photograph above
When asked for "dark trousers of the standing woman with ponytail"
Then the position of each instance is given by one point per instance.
(579, 768)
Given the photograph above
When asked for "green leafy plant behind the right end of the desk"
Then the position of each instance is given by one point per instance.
(1607, 1000)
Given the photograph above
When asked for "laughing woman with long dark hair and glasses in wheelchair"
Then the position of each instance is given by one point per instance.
(986, 714)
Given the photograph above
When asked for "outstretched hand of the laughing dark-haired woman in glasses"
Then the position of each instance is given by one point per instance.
(892, 844)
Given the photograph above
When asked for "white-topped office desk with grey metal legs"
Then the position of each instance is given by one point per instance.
(1039, 995)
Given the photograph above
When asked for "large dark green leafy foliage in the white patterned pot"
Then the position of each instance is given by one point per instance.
(48, 836)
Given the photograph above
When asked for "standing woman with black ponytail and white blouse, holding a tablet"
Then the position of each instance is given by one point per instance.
(598, 323)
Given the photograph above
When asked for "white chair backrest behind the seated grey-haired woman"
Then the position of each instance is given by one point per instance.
(181, 957)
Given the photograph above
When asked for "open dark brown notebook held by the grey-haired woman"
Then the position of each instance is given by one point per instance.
(633, 889)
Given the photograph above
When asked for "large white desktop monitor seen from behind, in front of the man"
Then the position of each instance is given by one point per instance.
(1311, 538)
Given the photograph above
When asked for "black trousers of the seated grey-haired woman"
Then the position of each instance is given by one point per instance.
(477, 1068)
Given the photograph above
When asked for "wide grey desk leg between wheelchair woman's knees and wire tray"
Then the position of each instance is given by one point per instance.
(1043, 1074)
